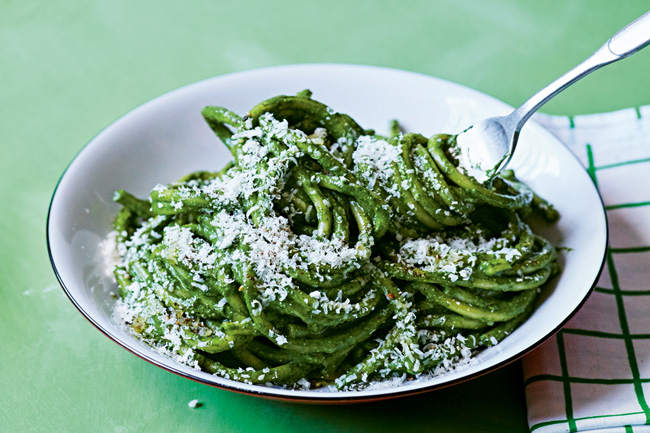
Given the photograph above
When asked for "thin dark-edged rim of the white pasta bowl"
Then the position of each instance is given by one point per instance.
(315, 397)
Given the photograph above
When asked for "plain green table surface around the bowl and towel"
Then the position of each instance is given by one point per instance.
(68, 68)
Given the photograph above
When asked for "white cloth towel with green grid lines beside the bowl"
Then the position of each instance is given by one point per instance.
(594, 375)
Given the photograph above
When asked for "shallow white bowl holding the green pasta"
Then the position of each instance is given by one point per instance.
(167, 138)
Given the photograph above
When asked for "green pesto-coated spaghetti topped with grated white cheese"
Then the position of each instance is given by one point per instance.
(327, 255)
